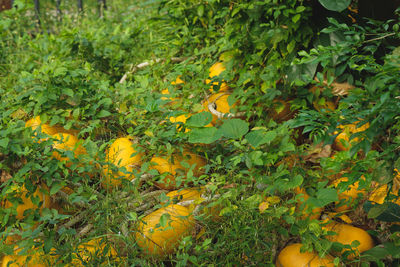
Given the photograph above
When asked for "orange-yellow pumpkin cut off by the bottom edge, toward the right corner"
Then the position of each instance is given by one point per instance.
(291, 256)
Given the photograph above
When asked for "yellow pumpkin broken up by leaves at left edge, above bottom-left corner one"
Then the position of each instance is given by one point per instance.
(27, 202)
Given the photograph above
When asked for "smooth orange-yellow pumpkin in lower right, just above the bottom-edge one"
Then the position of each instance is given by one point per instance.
(347, 234)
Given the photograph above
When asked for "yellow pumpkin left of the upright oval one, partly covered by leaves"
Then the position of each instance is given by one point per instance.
(67, 142)
